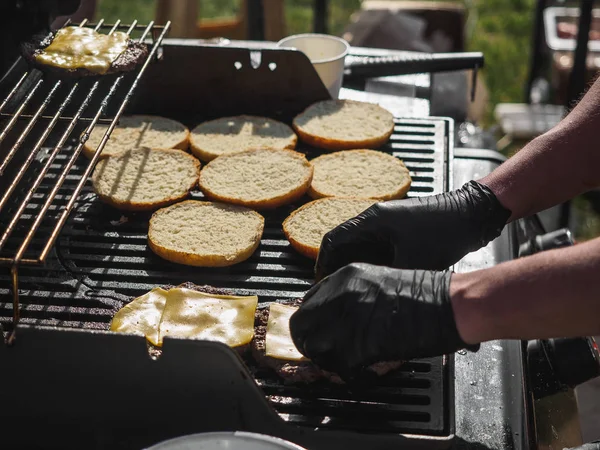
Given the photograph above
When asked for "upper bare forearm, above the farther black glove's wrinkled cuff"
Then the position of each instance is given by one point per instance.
(554, 167)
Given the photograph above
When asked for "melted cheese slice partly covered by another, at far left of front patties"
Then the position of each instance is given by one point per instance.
(142, 315)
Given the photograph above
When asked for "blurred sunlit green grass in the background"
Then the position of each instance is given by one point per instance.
(499, 28)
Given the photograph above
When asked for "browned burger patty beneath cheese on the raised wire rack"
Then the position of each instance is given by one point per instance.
(135, 54)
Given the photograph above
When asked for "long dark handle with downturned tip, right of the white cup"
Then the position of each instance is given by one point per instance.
(358, 68)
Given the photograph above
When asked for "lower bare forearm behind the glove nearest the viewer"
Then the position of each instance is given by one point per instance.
(551, 294)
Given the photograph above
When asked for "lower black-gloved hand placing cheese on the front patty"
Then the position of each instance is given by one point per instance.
(364, 314)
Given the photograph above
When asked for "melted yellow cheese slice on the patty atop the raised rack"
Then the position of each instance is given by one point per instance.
(83, 48)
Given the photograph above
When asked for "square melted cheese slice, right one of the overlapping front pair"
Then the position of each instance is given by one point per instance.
(196, 315)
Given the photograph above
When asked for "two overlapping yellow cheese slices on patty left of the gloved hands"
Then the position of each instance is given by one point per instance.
(185, 313)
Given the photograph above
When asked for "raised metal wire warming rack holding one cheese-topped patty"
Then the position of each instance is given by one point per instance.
(24, 115)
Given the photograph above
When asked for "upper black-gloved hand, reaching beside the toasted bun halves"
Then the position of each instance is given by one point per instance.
(419, 233)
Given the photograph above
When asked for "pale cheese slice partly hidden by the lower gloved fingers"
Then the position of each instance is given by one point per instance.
(279, 342)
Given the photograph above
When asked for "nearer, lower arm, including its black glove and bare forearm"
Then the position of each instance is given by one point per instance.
(363, 313)
